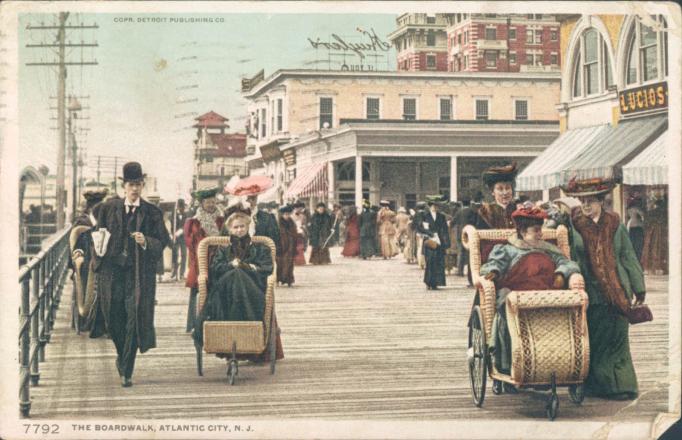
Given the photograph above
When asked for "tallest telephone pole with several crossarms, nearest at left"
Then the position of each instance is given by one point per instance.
(61, 64)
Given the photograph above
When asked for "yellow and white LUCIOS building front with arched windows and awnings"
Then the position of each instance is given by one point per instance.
(613, 111)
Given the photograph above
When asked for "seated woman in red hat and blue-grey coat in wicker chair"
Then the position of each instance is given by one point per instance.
(525, 262)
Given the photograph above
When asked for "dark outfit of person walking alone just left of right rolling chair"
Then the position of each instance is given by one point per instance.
(434, 275)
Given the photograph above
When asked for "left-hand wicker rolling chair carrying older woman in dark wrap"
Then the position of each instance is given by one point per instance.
(240, 339)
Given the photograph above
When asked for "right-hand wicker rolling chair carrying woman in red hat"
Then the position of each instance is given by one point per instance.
(548, 328)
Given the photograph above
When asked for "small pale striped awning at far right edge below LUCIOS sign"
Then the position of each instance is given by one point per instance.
(650, 167)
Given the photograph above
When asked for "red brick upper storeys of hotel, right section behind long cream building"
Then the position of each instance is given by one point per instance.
(503, 43)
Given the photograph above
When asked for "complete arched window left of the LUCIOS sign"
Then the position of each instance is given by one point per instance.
(592, 66)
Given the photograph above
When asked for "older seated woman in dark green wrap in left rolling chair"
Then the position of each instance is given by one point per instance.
(238, 276)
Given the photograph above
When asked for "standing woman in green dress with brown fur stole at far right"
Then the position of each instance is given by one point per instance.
(613, 280)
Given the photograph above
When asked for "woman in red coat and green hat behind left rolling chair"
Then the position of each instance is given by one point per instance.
(208, 221)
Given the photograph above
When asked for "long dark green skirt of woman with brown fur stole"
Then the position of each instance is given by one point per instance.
(612, 374)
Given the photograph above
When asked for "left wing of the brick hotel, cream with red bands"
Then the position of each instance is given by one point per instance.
(421, 42)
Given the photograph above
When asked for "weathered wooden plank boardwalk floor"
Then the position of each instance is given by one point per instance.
(362, 340)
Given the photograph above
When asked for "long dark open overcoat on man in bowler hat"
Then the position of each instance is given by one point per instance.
(150, 223)
